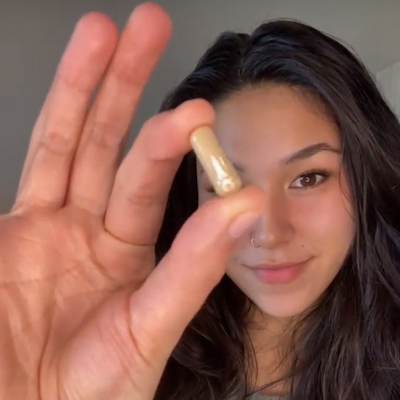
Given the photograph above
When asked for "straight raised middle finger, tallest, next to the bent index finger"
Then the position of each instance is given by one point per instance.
(142, 42)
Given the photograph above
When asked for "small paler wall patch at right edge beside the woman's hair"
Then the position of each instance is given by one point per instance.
(389, 82)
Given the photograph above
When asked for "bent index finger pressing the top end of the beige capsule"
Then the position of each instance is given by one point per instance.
(139, 195)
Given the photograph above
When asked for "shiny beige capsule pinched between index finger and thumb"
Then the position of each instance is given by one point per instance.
(218, 168)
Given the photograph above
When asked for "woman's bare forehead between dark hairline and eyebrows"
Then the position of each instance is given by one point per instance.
(270, 123)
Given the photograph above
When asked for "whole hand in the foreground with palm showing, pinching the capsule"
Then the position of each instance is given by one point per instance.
(84, 314)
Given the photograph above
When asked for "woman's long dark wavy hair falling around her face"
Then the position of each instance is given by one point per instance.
(348, 346)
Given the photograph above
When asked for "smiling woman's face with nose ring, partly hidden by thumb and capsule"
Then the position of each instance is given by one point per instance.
(283, 142)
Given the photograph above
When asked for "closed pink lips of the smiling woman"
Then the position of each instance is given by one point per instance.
(283, 273)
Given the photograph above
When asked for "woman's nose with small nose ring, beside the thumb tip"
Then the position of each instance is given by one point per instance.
(274, 227)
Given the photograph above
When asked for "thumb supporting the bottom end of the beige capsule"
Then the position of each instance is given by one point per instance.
(175, 291)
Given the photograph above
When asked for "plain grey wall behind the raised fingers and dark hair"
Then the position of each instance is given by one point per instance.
(33, 34)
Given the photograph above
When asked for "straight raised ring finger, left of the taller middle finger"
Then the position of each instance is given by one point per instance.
(58, 129)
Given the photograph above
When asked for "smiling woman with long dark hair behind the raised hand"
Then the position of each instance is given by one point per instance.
(309, 306)
